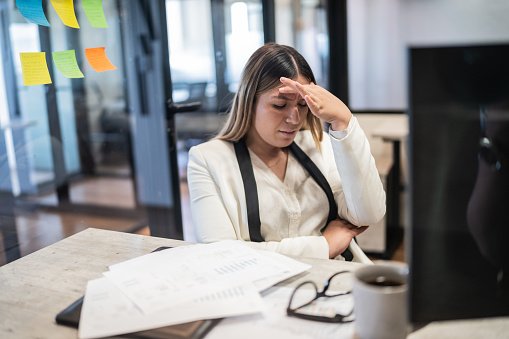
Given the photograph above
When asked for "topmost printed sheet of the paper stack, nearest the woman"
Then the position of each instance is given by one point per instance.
(175, 276)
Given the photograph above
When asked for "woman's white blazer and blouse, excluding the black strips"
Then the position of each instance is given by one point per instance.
(291, 212)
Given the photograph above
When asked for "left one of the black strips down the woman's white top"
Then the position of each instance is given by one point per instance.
(250, 190)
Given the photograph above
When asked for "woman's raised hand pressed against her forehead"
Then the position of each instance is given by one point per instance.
(322, 103)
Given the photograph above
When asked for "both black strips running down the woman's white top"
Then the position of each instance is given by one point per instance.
(251, 192)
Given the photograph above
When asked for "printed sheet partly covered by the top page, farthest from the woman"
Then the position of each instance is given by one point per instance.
(107, 311)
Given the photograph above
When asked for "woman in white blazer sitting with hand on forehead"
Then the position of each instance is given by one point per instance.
(272, 177)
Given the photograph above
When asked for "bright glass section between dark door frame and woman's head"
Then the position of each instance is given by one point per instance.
(207, 57)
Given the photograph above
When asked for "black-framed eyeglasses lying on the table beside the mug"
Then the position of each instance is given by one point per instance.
(302, 298)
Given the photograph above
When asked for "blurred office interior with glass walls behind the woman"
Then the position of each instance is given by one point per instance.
(96, 151)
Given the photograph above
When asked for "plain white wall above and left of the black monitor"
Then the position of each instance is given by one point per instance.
(380, 31)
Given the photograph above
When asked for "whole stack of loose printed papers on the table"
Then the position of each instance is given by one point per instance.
(182, 284)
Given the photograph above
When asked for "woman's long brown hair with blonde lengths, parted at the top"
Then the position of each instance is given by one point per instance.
(262, 73)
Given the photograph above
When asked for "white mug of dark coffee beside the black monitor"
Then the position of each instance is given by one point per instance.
(380, 299)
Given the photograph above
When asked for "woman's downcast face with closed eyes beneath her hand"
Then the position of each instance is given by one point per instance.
(278, 117)
